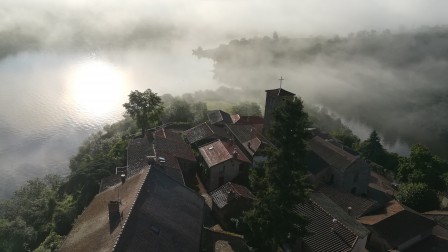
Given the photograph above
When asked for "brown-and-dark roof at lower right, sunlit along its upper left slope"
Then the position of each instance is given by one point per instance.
(398, 223)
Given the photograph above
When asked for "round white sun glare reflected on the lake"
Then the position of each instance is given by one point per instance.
(96, 87)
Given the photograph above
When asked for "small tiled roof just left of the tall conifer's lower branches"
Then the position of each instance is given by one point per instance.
(220, 195)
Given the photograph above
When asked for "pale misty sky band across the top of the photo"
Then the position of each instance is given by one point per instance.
(53, 25)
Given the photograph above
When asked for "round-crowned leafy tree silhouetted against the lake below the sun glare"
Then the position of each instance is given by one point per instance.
(145, 108)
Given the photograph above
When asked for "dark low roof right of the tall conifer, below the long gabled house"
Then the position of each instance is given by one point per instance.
(359, 205)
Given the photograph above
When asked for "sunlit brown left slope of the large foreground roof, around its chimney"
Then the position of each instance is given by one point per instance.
(91, 231)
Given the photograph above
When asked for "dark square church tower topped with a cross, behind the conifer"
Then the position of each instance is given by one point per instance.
(273, 100)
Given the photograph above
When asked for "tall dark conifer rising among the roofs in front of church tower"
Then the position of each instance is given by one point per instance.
(280, 184)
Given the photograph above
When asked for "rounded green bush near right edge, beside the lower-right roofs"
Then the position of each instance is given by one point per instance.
(418, 196)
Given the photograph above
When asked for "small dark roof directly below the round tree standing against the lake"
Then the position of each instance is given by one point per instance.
(138, 149)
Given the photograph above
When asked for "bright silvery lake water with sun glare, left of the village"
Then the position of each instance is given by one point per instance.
(50, 103)
